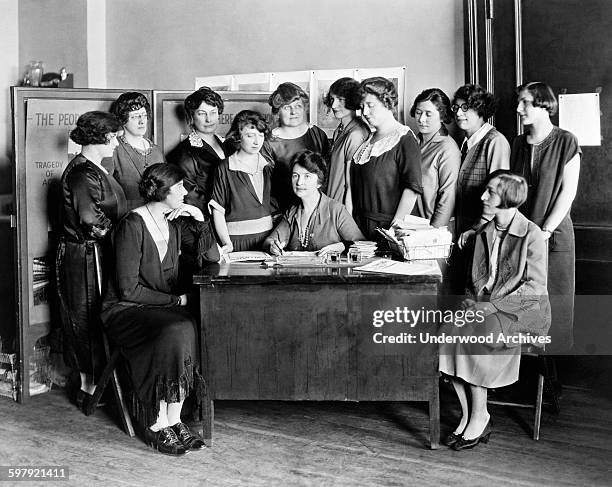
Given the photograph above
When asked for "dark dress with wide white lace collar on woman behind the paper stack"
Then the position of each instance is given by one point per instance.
(380, 174)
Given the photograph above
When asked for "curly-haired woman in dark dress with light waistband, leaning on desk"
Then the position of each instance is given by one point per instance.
(240, 202)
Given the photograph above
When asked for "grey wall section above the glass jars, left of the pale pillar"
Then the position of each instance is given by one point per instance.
(55, 32)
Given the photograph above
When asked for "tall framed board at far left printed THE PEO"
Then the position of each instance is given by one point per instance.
(42, 121)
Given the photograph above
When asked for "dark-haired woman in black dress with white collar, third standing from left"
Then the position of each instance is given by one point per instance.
(202, 151)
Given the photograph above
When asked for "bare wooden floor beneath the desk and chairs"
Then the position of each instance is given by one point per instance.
(318, 444)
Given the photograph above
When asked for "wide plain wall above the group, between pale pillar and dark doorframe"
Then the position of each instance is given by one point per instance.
(189, 38)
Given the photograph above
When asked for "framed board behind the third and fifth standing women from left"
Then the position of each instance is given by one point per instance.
(171, 122)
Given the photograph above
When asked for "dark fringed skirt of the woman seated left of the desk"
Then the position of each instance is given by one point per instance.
(159, 346)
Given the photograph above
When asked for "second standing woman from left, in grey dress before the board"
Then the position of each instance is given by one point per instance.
(135, 152)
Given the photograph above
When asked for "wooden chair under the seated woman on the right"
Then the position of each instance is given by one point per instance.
(546, 376)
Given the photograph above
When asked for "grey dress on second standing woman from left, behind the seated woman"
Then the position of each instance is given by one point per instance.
(127, 166)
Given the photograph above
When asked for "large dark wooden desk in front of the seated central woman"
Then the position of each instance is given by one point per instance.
(305, 334)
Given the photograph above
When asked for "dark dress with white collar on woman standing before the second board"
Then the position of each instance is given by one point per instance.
(199, 161)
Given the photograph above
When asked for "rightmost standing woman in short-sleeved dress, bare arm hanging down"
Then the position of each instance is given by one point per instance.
(549, 158)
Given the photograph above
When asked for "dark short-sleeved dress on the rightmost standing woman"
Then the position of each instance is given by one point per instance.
(545, 180)
